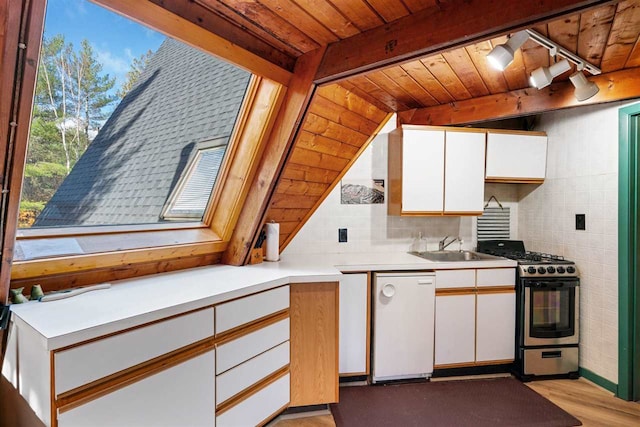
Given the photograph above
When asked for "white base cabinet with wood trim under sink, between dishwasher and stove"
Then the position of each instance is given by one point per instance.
(475, 317)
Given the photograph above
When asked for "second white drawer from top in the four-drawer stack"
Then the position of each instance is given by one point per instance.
(243, 348)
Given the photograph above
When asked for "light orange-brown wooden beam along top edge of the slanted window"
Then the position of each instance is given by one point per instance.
(148, 13)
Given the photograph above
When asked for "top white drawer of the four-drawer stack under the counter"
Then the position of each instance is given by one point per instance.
(232, 314)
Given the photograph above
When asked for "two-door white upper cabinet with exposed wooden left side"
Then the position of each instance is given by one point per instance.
(436, 171)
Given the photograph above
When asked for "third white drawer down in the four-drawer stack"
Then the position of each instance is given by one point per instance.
(251, 372)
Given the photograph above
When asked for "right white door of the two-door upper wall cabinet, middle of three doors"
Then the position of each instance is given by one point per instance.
(464, 172)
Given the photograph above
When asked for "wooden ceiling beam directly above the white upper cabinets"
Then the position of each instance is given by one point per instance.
(614, 86)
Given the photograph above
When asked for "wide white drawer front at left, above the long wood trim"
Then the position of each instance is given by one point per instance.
(89, 362)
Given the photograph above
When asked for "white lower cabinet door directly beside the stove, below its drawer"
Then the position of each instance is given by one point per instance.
(496, 320)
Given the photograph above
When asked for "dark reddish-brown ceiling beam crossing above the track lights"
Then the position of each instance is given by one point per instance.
(448, 25)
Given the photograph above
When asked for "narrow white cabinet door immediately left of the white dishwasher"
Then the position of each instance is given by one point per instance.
(354, 310)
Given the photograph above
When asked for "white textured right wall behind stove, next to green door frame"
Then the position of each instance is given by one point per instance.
(582, 178)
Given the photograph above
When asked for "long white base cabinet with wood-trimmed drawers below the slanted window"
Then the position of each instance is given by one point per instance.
(226, 364)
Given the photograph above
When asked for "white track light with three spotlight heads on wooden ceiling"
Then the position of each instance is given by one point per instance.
(502, 55)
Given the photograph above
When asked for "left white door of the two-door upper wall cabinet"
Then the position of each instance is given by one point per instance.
(422, 171)
